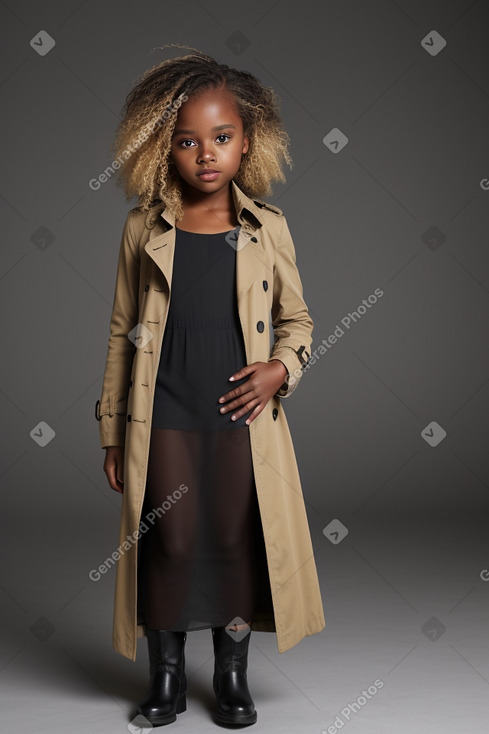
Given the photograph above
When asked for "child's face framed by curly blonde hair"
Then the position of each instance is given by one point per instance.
(208, 135)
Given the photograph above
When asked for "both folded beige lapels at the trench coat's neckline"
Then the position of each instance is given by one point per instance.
(249, 253)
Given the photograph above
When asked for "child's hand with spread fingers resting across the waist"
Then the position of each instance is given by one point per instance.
(264, 381)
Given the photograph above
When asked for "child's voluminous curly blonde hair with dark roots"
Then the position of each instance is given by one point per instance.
(143, 138)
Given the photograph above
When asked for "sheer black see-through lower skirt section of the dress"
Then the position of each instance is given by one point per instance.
(202, 556)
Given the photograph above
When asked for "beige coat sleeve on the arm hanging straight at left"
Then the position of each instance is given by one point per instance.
(111, 409)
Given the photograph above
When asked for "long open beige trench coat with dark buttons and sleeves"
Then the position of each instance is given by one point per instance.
(268, 283)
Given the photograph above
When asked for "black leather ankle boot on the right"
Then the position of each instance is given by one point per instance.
(234, 703)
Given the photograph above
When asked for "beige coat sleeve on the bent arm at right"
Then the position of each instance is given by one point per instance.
(292, 324)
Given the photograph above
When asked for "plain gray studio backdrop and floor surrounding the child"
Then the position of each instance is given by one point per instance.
(387, 106)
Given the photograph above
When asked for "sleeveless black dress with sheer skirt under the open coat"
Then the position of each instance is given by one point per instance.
(202, 558)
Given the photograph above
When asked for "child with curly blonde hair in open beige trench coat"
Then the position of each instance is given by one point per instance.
(190, 415)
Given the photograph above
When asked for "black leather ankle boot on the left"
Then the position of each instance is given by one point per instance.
(166, 696)
